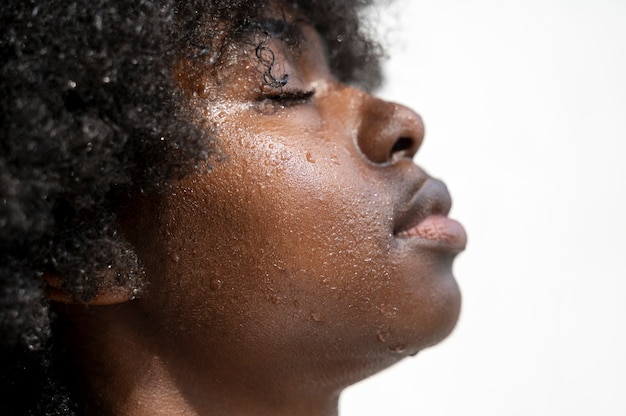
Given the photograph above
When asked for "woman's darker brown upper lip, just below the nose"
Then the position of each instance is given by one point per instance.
(430, 198)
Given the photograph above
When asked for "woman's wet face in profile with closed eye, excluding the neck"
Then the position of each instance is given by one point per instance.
(313, 240)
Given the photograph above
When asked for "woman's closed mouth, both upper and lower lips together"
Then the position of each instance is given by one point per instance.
(425, 219)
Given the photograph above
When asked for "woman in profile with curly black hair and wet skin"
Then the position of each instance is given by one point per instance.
(204, 212)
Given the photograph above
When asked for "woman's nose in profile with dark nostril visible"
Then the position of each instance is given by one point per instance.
(388, 132)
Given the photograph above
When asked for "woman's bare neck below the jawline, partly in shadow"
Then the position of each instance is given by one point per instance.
(125, 371)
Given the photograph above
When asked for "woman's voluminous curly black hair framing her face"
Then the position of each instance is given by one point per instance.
(90, 113)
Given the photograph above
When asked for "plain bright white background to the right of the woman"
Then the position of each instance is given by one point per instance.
(525, 110)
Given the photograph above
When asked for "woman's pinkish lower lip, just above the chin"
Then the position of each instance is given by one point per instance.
(442, 232)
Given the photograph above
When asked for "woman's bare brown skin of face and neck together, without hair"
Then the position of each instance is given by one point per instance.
(313, 254)
